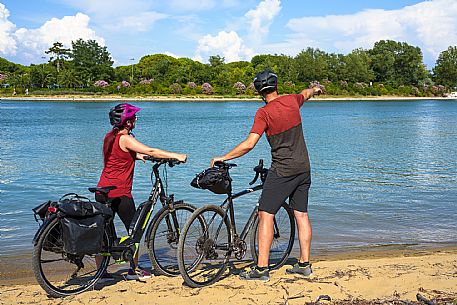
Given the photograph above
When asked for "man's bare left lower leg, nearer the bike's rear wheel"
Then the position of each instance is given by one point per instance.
(265, 237)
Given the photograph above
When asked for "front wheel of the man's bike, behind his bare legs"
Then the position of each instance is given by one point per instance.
(281, 246)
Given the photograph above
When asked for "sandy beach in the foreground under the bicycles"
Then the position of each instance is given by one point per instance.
(377, 277)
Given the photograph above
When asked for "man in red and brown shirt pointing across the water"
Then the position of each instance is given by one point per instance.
(289, 175)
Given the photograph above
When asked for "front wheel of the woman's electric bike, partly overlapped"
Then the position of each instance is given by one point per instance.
(166, 264)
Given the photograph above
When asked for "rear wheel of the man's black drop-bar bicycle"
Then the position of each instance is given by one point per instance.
(203, 253)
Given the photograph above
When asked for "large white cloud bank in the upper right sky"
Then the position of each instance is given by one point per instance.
(431, 25)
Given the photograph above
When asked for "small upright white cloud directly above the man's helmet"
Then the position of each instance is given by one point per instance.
(261, 18)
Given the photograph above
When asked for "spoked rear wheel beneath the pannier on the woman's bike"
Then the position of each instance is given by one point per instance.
(49, 281)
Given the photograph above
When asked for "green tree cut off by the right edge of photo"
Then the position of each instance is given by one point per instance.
(445, 70)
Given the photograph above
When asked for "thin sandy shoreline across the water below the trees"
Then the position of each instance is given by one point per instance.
(83, 98)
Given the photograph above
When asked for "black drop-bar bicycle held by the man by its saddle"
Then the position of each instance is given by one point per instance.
(204, 251)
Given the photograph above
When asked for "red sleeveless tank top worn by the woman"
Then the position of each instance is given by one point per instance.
(118, 171)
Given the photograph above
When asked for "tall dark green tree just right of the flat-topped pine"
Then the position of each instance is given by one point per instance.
(91, 61)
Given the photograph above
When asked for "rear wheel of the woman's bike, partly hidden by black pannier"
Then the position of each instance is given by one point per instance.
(61, 274)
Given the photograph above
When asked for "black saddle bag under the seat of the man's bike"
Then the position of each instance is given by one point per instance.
(215, 179)
